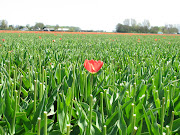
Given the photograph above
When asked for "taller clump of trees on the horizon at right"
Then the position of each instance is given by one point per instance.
(131, 26)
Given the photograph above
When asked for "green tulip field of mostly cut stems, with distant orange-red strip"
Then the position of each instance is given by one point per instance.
(89, 84)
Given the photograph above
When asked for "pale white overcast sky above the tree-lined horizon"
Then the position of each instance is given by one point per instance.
(89, 14)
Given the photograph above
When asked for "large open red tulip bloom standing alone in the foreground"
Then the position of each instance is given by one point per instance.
(93, 66)
